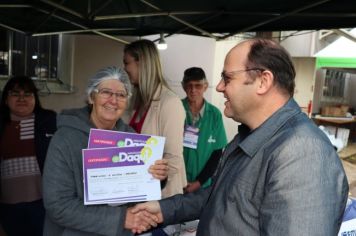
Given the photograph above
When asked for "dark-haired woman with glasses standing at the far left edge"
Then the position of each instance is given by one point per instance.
(25, 132)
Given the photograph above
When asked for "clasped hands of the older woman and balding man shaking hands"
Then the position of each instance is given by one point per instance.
(143, 217)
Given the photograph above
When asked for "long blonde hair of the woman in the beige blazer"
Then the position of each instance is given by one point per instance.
(150, 71)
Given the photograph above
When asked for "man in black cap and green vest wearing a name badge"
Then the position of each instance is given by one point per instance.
(204, 133)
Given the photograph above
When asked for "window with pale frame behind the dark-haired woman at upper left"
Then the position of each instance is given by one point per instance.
(46, 59)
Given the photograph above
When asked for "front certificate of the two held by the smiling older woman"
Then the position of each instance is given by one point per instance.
(120, 175)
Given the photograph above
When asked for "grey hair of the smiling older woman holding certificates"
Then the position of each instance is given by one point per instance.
(107, 73)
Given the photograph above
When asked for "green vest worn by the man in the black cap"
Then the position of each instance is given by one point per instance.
(212, 136)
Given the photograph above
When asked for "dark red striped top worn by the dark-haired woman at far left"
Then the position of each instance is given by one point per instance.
(20, 173)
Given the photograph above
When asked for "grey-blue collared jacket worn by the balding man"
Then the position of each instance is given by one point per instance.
(284, 178)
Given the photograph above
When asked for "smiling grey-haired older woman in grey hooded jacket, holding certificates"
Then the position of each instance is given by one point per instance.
(108, 91)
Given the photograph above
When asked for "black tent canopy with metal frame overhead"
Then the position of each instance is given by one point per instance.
(211, 18)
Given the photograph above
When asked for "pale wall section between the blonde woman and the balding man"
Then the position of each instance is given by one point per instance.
(186, 51)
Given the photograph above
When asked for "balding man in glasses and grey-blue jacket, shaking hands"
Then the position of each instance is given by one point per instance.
(280, 175)
